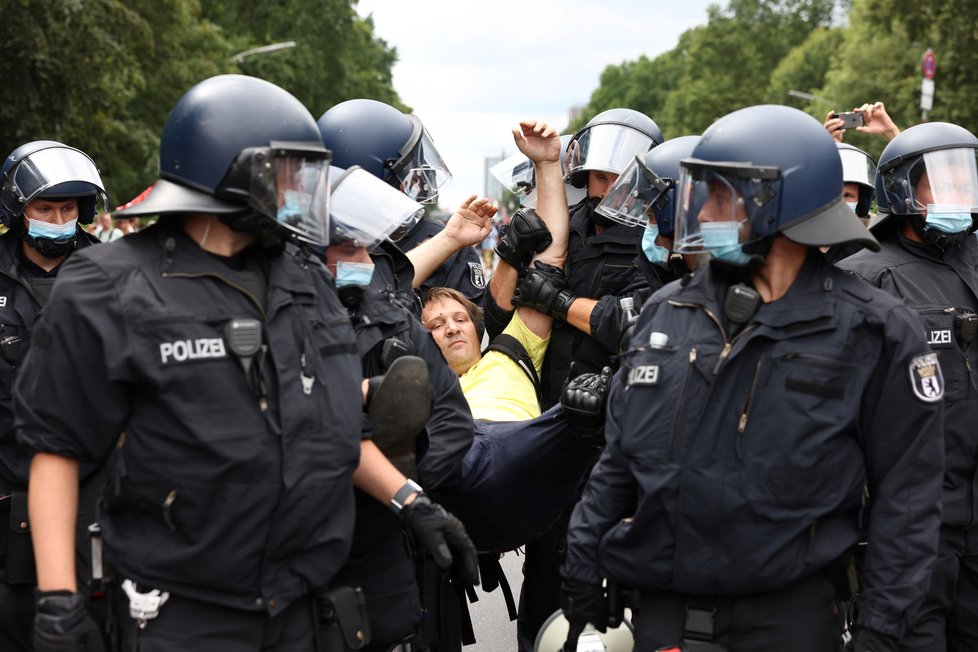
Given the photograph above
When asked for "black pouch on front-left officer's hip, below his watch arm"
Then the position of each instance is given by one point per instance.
(341, 619)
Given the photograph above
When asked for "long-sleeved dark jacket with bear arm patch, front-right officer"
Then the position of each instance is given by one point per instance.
(737, 465)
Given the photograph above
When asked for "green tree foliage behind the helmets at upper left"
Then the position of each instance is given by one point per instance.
(101, 75)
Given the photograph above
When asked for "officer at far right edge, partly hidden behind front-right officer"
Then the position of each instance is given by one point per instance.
(927, 192)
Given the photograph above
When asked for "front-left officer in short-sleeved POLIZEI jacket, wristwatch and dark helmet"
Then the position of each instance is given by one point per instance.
(220, 373)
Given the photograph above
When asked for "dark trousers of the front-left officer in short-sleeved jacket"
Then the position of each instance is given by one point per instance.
(186, 625)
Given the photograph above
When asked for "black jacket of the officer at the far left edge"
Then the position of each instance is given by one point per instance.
(19, 308)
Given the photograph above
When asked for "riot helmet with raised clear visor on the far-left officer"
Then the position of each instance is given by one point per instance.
(46, 168)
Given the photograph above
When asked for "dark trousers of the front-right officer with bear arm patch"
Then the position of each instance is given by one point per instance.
(799, 618)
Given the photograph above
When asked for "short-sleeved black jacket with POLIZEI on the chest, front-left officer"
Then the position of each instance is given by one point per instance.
(224, 487)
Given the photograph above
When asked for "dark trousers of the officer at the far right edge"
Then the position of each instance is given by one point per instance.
(948, 617)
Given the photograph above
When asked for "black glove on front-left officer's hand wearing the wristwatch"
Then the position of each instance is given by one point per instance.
(443, 535)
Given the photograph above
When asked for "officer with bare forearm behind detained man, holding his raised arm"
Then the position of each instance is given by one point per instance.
(600, 267)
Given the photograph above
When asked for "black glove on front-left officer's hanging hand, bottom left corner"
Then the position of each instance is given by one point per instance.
(62, 623)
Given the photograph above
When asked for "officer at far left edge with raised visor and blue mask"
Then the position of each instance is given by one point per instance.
(47, 190)
